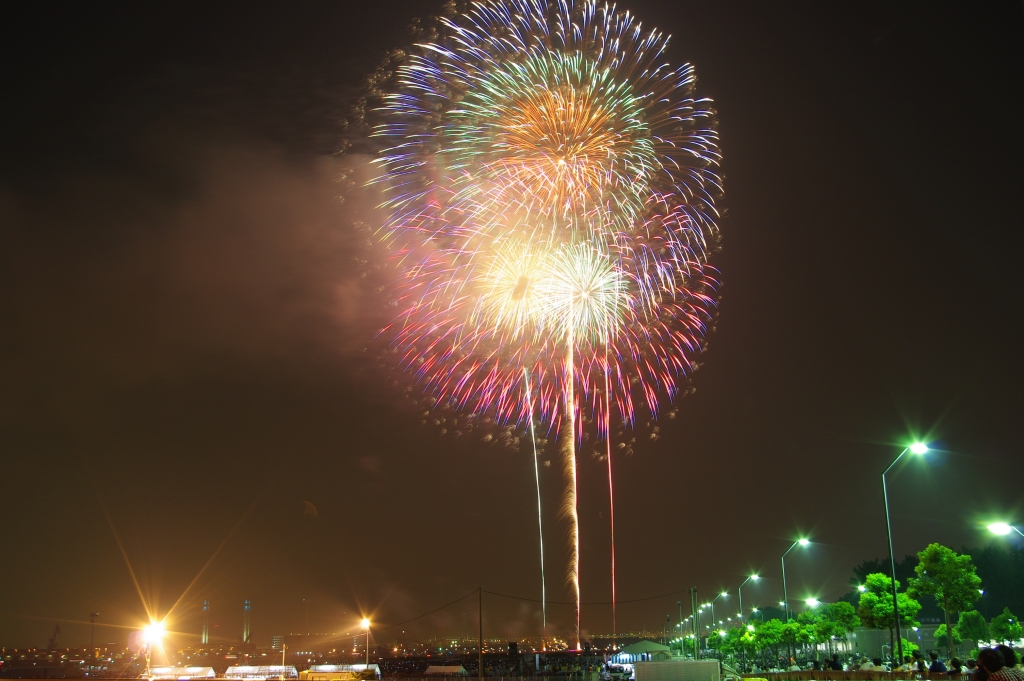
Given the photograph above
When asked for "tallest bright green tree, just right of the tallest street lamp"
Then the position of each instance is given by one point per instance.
(949, 577)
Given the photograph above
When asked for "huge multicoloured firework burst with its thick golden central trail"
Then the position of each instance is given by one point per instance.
(550, 190)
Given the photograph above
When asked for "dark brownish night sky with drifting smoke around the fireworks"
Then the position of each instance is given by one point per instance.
(183, 327)
